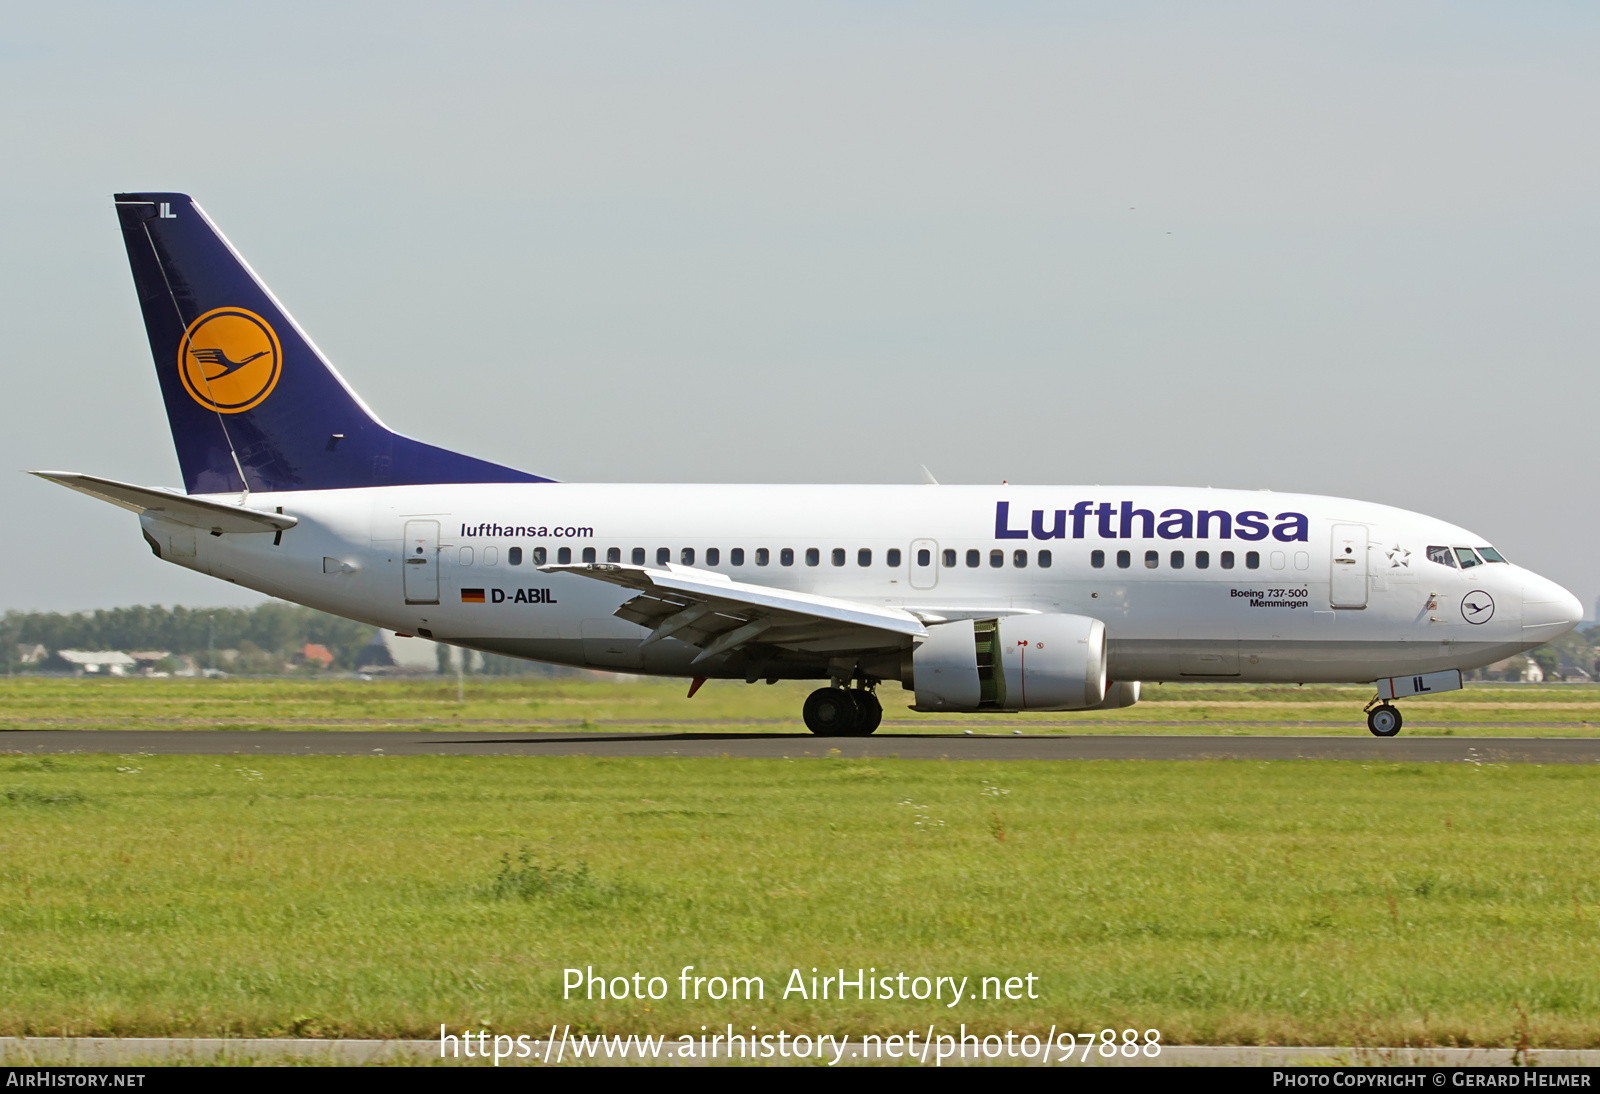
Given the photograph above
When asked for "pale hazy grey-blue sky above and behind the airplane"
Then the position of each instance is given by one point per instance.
(1345, 249)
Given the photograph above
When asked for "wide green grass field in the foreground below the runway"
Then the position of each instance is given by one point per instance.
(1222, 903)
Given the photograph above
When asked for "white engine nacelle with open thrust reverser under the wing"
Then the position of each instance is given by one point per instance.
(1015, 663)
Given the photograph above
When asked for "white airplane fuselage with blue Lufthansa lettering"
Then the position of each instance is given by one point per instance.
(1346, 594)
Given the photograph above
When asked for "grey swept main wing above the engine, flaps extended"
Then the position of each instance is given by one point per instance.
(716, 613)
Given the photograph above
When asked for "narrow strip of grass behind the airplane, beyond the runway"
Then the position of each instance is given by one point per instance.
(433, 705)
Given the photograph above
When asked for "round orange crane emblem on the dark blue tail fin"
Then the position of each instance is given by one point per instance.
(230, 361)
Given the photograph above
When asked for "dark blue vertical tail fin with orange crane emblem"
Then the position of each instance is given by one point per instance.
(250, 399)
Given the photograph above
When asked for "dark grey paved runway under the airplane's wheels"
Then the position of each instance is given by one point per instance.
(279, 743)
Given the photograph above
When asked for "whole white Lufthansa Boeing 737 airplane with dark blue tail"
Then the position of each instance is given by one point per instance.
(974, 599)
